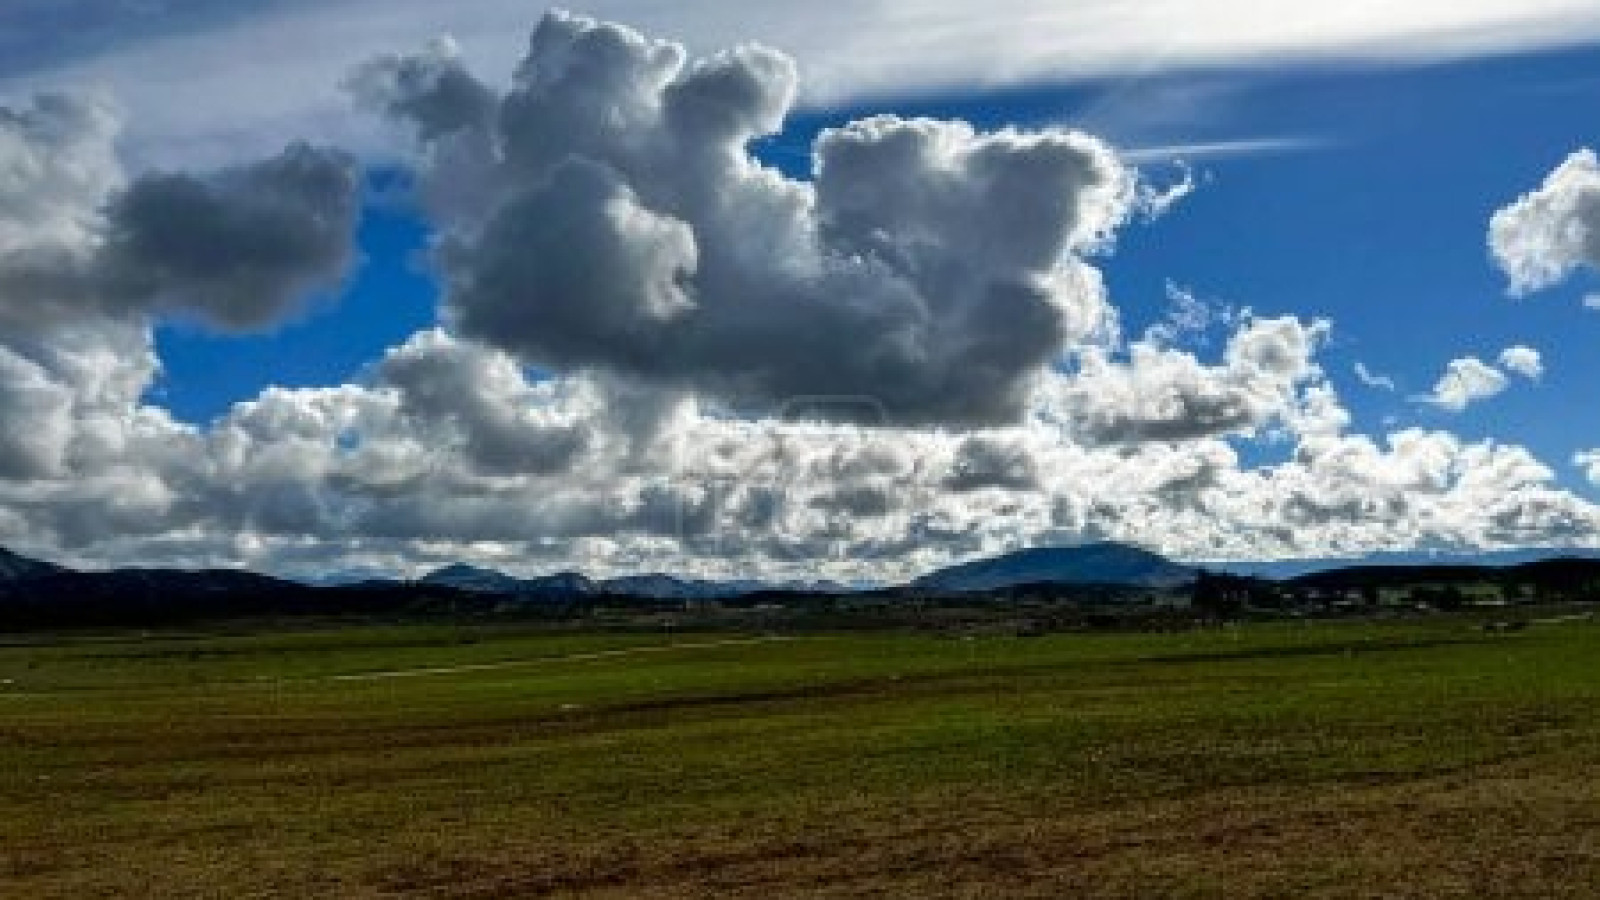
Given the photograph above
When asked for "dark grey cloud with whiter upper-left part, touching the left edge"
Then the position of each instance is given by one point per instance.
(239, 249)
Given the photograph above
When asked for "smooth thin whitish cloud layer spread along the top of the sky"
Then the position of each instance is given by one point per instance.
(852, 52)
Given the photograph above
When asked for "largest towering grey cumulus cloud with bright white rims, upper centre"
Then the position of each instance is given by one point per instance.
(630, 231)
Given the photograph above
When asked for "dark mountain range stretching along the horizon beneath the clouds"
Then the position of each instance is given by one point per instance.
(41, 595)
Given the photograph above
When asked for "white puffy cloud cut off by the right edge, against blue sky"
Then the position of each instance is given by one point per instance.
(1551, 233)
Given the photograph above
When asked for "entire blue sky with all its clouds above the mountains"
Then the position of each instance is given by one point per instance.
(790, 292)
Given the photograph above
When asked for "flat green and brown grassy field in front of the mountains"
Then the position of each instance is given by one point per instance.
(1332, 760)
